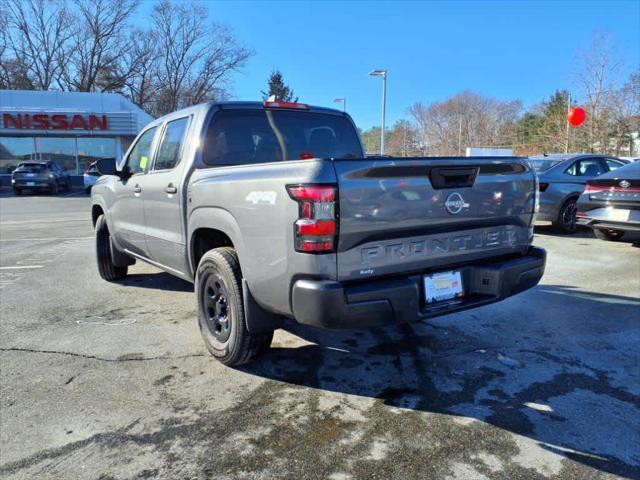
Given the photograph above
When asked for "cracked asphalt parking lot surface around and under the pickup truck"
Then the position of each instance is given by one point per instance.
(111, 381)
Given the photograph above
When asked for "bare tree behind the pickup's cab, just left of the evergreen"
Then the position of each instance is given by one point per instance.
(195, 56)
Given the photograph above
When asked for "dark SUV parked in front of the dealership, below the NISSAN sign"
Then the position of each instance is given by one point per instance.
(40, 176)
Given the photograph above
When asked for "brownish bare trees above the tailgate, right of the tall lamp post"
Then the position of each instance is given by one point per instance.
(464, 120)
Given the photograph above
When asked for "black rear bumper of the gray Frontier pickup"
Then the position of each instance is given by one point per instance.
(334, 305)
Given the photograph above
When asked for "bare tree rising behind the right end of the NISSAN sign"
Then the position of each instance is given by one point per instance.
(100, 41)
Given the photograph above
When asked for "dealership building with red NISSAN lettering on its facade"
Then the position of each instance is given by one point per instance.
(71, 128)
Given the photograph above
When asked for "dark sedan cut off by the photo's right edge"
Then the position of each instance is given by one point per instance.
(610, 203)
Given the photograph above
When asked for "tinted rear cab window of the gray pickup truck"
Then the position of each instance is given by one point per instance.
(246, 136)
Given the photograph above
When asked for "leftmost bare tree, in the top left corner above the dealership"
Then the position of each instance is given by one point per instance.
(36, 36)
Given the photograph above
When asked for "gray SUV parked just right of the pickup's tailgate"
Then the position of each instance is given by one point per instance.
(562, 180)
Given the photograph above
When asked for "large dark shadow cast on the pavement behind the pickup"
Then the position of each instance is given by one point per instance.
(553, 389)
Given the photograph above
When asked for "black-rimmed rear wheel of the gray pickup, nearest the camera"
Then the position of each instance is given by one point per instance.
(220, 306)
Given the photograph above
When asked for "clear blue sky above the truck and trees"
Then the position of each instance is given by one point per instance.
(432, 49)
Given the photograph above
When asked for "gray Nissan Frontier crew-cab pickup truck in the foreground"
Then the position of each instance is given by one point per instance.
(273, 210)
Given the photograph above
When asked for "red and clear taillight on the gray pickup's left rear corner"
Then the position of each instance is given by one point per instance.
(316, 230)
